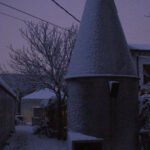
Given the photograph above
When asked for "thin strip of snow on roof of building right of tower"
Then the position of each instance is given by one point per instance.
(139, 46)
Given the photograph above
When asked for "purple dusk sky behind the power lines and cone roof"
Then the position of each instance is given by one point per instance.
(131, 12)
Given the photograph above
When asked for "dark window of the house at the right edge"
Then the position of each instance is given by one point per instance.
(146, 73)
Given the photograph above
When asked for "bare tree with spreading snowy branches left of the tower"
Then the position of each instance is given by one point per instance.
(46, 58)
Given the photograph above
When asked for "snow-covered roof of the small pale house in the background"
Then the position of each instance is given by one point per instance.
(41, 94)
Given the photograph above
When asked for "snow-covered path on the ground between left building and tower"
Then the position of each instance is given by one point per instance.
(24, 139)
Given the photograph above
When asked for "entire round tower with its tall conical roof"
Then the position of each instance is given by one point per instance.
(102, 81)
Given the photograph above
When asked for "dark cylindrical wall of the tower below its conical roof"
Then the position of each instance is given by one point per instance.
(90, 111)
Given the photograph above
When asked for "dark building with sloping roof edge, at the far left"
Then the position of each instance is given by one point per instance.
(7, 113)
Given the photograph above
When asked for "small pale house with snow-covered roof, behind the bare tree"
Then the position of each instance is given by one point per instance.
(32, 104)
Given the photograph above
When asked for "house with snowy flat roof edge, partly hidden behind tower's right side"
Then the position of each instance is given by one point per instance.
(141, 57)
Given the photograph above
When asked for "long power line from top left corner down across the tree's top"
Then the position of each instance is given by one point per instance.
(33, 16)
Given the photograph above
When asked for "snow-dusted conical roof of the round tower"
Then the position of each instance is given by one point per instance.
(101, 48)
